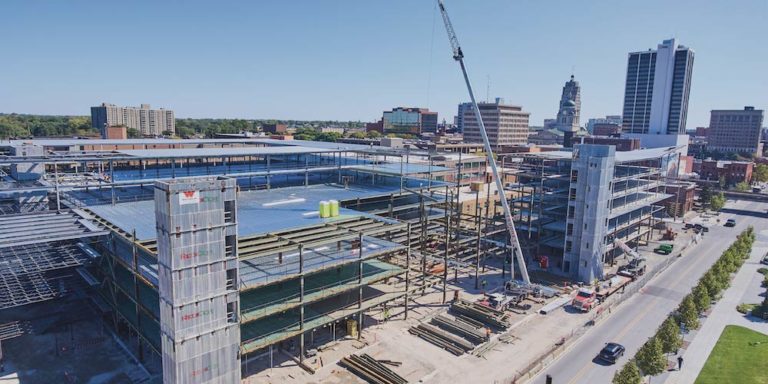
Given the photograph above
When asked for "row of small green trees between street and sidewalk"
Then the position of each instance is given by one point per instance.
(651, 358)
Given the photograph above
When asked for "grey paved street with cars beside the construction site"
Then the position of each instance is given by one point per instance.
(634, 321)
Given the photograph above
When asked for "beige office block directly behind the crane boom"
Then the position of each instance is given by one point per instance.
(505, 124)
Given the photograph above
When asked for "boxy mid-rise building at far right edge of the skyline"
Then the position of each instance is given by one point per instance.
(736, 131)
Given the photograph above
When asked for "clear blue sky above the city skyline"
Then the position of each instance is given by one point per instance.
(351, 59)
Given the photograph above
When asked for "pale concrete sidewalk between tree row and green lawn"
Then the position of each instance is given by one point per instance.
(722, 314)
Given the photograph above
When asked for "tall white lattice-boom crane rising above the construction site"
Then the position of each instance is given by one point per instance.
(458, 55)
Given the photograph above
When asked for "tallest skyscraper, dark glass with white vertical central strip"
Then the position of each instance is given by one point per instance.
(657, 89)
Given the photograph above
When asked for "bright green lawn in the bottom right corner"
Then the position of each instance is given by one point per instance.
(740, 356)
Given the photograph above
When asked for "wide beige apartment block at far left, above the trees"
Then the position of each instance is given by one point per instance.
(149, 122)
